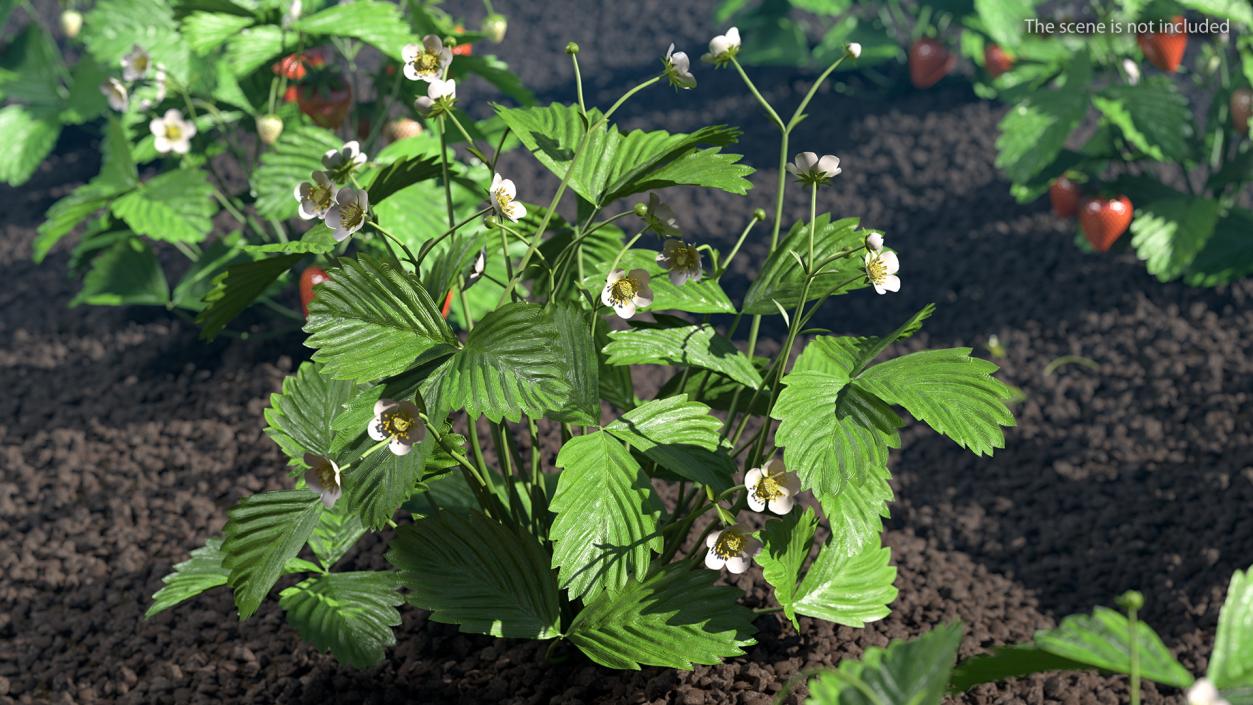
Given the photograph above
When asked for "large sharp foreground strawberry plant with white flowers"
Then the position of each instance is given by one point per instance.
(472, 393)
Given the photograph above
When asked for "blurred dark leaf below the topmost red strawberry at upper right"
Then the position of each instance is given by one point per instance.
(1153, 116)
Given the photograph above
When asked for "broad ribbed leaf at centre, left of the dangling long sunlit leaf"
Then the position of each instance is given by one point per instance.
(508, 368)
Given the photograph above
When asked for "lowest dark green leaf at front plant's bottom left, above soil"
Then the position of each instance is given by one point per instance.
(350, 614)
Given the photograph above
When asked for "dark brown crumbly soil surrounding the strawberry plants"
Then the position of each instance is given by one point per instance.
(123, 441)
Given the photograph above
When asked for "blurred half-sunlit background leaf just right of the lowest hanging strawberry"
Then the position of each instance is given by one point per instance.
(1168, 235)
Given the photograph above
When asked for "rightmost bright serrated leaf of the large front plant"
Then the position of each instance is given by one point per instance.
(948, 390)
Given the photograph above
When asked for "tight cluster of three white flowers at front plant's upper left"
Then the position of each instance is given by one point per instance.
(345, 210)
